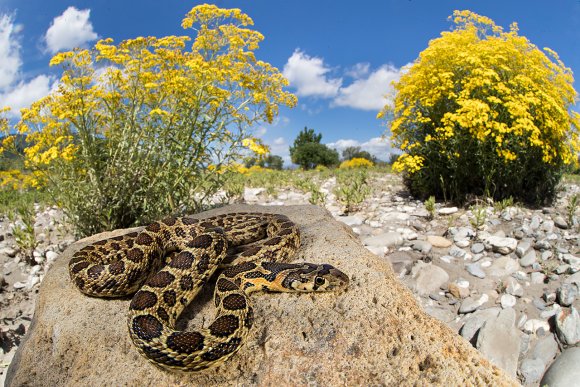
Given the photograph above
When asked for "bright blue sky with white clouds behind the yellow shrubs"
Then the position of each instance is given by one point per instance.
(339, 56)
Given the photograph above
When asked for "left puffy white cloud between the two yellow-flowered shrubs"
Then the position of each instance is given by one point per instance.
(309, 76)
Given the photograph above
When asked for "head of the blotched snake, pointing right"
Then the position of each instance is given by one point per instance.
(309, 277)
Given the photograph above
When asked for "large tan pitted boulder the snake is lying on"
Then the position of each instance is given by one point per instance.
(374, 333)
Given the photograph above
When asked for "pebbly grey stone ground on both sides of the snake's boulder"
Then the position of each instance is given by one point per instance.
(504, 277)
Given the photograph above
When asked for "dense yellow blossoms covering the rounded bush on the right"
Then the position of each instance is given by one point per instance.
(494, 87)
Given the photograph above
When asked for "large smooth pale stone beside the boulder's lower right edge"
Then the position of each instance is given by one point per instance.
(499, 341)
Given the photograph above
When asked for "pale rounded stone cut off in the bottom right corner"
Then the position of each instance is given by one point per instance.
(564, 371)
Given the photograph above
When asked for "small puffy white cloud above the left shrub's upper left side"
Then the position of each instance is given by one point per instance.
(69, 30)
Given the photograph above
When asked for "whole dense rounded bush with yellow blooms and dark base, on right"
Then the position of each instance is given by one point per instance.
(484, 112)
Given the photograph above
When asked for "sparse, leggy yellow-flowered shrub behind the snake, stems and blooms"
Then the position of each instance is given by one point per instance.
(133, 128)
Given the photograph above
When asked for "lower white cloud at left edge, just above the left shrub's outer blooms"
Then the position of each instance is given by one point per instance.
(25, 93)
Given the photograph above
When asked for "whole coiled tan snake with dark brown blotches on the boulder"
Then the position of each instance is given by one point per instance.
(164, 266)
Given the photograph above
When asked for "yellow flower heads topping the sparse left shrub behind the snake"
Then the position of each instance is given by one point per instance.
(151, 94)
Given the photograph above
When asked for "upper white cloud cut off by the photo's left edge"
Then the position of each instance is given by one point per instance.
(9, 51)
